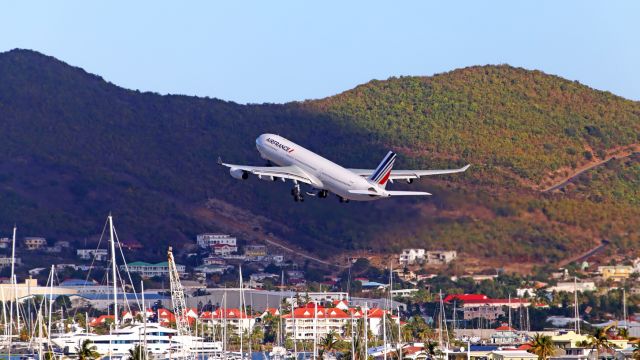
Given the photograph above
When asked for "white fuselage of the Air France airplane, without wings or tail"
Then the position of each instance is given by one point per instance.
(325, 174)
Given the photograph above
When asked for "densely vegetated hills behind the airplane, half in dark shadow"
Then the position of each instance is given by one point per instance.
(76, 147)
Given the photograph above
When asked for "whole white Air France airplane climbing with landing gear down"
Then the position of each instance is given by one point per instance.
(300, 165)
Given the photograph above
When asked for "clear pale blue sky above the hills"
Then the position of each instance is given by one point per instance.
(278, 51)
